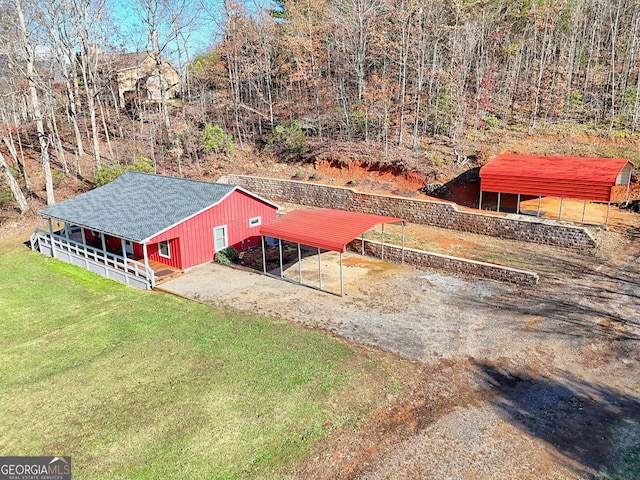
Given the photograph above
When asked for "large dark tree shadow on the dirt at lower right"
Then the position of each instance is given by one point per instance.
(584, 422)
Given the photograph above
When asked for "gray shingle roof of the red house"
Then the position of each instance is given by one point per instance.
(137, 206)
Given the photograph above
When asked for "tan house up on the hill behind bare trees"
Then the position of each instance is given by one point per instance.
(139, 75)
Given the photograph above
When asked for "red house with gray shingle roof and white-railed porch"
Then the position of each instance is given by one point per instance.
(142, 226)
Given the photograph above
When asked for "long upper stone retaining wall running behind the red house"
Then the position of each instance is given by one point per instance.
(425, 212)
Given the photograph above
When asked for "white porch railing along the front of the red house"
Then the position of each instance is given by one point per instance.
(109, 265)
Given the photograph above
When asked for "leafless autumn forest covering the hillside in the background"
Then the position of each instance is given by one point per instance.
(279, 78)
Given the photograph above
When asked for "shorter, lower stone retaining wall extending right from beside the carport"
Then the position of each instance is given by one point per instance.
(455, 265)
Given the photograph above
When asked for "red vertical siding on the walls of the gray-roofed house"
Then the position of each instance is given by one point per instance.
(192, 240)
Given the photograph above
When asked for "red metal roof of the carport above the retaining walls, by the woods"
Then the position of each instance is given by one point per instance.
(562, 177)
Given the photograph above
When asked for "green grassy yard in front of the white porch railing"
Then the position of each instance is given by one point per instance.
(137, 384)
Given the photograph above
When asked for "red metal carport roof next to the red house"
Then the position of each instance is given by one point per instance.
(323, 228)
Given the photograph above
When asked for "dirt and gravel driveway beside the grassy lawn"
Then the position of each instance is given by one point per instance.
(514, 383)
